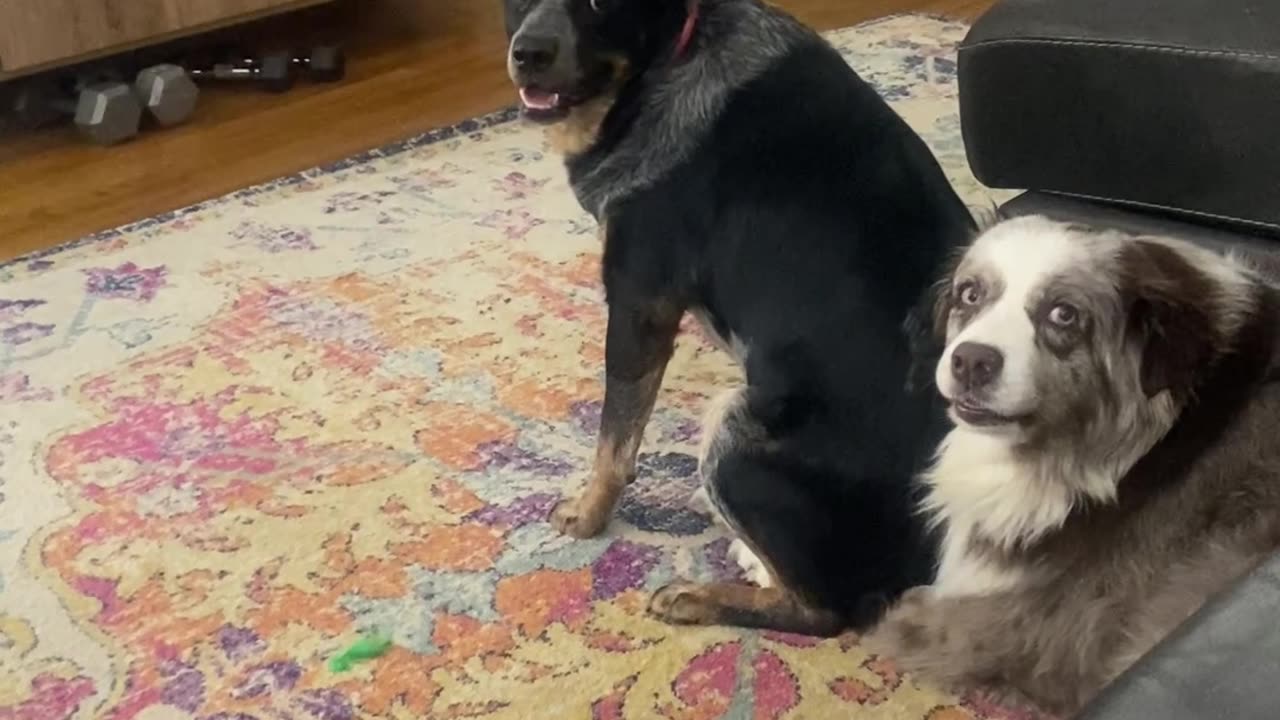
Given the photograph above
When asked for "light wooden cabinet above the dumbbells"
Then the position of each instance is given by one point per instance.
(42, 34)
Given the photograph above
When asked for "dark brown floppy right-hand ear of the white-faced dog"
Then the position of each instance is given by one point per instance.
(1172, 317)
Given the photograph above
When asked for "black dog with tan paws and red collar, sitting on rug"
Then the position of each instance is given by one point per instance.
(742, 171)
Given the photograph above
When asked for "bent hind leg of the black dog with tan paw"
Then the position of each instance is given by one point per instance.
(810, 528)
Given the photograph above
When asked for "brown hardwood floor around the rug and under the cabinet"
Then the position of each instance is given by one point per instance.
(414, 65)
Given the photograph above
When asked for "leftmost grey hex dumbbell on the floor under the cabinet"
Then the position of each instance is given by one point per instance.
(107, 113)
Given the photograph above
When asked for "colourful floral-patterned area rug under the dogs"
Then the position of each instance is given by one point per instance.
(237, 438)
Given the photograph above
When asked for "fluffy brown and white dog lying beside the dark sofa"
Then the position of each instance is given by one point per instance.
(1114, 459)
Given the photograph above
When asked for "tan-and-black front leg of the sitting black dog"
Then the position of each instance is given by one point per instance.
(638, 345)
